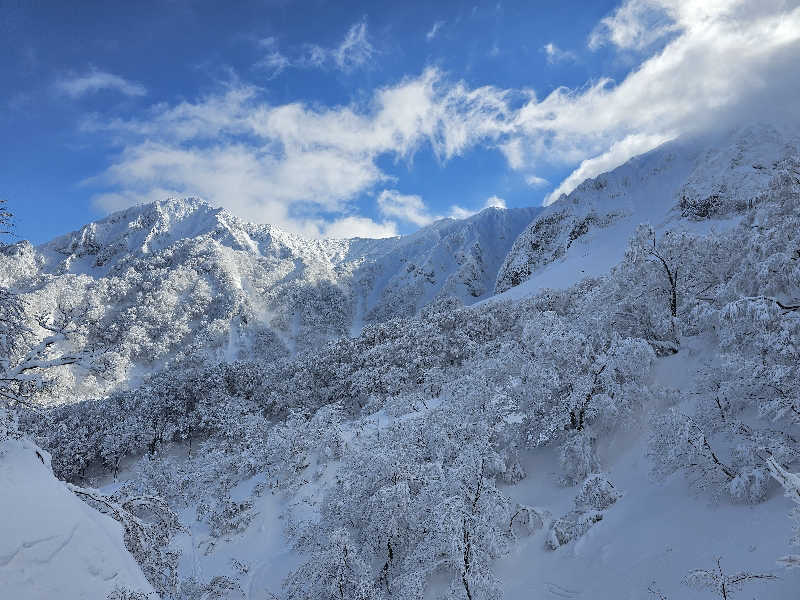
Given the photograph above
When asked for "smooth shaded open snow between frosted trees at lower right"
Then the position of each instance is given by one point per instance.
(656, 533)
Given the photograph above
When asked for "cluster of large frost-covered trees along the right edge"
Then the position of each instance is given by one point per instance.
(747, 411)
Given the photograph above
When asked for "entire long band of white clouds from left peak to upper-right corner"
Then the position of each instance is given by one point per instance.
(289, 164)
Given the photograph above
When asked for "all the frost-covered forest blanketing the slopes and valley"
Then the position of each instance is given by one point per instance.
(394, 448)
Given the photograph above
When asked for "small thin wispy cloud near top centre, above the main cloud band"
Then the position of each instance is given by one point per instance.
(354, 51)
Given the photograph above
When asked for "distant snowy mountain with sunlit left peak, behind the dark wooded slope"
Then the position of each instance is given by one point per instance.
(180, 279)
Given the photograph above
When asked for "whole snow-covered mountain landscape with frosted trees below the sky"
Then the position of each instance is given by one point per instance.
(269, 417)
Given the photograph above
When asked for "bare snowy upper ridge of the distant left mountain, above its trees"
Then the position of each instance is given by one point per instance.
(459, 257)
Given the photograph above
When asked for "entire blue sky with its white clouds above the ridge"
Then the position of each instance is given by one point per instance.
(344, 118)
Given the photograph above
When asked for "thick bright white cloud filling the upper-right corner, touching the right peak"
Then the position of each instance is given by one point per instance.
(681, 88)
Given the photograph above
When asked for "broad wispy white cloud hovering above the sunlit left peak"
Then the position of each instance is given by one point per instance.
(297, 162)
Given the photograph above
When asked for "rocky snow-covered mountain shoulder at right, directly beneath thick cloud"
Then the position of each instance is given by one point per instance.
(688, 183)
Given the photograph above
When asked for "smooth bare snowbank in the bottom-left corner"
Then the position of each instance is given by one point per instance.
(52, 544)
